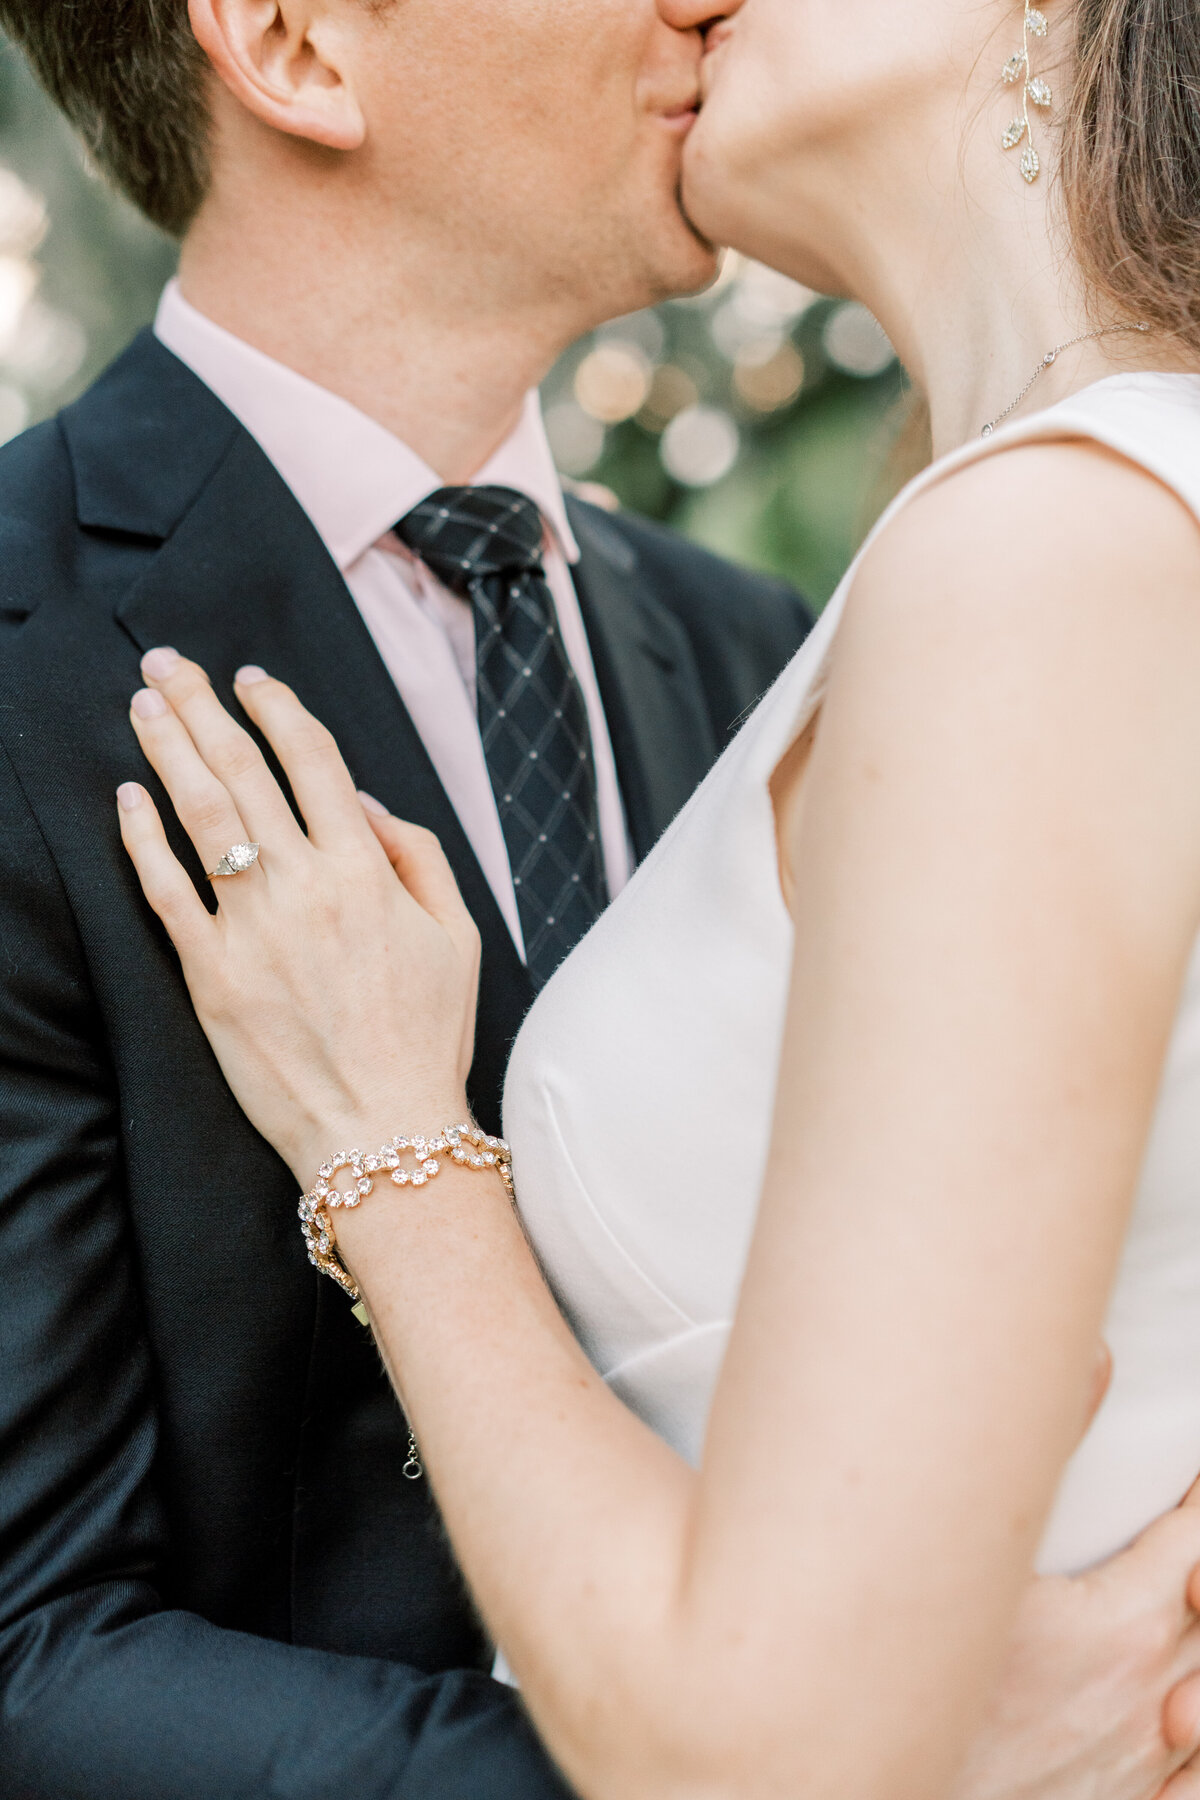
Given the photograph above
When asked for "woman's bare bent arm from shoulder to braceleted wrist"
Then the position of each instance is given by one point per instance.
(996, 877)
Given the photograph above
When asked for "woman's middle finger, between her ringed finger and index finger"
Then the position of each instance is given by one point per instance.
(229, 751)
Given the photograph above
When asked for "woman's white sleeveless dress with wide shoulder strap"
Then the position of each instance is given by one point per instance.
(667, 1027)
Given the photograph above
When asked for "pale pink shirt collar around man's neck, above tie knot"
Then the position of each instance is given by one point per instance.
(354, 478)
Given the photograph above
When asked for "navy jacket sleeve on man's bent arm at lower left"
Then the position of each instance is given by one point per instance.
(105, 1695)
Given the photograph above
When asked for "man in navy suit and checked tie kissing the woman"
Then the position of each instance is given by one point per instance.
(215, 1579)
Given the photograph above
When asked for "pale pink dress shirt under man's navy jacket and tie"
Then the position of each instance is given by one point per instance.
(355, 481)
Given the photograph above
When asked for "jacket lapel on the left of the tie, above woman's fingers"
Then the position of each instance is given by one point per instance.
(246, 579)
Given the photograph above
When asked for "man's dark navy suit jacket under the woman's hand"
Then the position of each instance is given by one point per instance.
(215, 1583)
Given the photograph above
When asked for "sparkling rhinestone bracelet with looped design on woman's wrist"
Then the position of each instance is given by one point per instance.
(465, 1146)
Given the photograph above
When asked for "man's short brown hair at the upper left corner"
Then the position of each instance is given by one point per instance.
(132, 80)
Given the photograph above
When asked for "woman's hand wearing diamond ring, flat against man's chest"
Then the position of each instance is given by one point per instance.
(337, 978)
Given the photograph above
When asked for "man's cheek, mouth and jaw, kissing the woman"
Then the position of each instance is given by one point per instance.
(546, 136)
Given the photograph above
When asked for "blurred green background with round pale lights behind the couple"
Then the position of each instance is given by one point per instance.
(758, 418)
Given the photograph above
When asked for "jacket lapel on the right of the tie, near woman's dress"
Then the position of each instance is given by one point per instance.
(654, 699)
